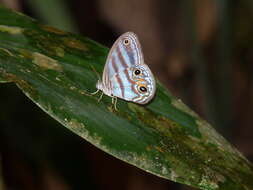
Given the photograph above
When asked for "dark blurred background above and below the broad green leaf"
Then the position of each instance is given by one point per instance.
(200, 49)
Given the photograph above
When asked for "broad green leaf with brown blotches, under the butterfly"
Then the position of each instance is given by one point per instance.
(55, 70)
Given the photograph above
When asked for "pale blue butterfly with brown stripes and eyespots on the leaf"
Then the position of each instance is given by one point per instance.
(125, 74)
